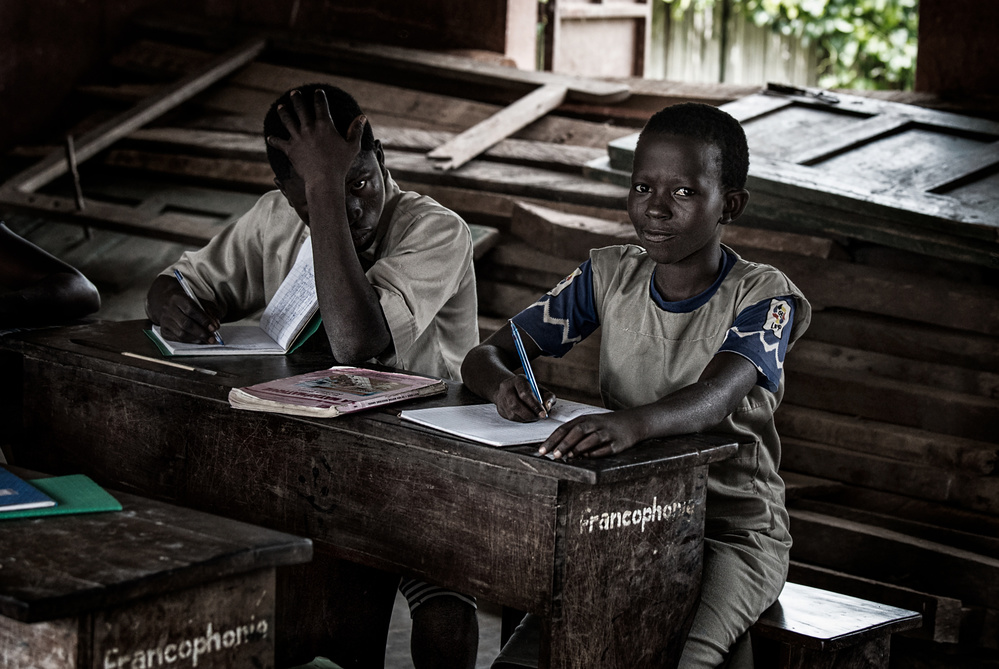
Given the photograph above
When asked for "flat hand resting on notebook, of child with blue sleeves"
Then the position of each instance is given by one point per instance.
(593, 435)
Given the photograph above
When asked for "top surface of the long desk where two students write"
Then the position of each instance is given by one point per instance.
(98, 348)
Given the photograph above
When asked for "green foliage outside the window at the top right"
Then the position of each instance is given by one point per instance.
(863, 44)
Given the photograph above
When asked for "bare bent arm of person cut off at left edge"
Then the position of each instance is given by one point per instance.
(36, 288)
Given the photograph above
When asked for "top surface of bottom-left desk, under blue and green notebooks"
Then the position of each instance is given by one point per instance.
(60, 566)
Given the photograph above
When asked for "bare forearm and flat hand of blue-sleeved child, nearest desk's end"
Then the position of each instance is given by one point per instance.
(726, 380)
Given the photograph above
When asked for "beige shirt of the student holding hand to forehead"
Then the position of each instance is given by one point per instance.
(421, 268)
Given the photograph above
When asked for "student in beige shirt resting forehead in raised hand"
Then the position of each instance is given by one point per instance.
(396, 286)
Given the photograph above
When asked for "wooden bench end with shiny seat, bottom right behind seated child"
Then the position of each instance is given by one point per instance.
(817, 629)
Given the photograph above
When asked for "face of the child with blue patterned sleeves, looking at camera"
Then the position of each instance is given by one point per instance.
(677, 202)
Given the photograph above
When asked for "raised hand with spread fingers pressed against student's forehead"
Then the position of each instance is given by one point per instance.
(315, 148)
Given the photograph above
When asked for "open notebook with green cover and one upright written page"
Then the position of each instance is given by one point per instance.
(289, 319)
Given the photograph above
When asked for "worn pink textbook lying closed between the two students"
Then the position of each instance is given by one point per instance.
(334, 391)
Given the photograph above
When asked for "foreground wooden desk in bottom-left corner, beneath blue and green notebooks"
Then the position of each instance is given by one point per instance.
(151, 585)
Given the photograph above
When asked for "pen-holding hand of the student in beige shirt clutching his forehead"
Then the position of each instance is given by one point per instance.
(178, 316)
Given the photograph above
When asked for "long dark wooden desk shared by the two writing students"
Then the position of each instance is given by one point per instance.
(607, 551)
